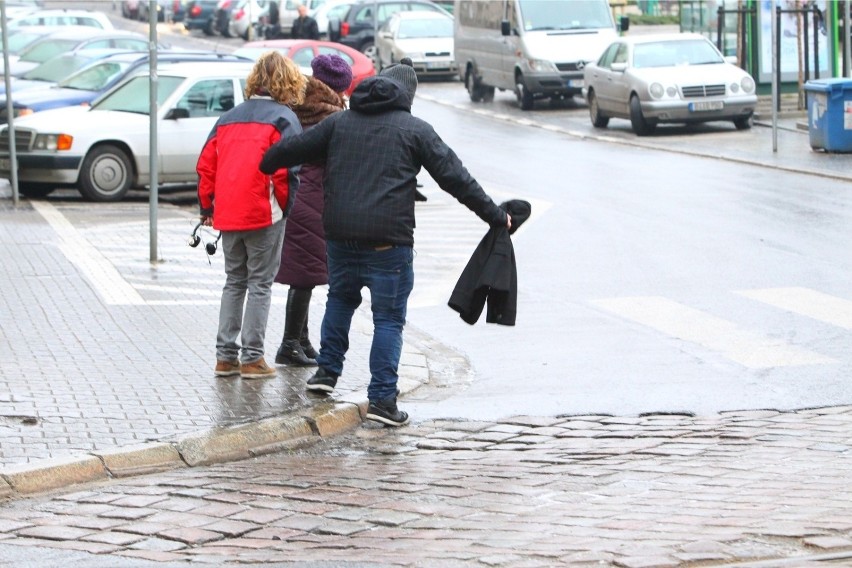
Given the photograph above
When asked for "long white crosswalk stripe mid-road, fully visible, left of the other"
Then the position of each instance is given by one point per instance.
(747, 348)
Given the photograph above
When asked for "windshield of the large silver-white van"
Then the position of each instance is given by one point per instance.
(576, 14)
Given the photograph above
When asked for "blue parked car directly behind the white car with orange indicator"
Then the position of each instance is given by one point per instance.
(90, 82)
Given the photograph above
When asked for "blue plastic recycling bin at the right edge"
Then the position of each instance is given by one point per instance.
(830, 114)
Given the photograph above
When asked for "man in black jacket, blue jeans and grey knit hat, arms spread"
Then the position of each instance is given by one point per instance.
(373, 153)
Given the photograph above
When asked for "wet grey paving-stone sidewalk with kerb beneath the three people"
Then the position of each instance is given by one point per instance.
(108, 358)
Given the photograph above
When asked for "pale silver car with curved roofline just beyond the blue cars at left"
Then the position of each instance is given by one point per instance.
(73, 40)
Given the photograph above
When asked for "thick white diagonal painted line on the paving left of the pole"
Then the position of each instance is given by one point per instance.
(98, 270)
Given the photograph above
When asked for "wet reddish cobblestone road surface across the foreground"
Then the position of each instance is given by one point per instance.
(762, 488)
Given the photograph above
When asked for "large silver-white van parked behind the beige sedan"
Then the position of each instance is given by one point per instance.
(536, 48)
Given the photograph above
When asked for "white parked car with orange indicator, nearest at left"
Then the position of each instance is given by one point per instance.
(103, 150)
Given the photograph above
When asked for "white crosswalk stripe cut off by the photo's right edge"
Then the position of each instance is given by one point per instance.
(806, 302)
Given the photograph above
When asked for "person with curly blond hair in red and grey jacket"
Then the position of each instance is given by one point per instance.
(249, 208)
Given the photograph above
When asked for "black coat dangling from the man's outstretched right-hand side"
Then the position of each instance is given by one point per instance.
(491, 275)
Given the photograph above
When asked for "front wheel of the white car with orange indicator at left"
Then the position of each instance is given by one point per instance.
(106, 174)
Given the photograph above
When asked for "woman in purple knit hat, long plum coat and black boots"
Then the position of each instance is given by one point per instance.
(303, 263)
